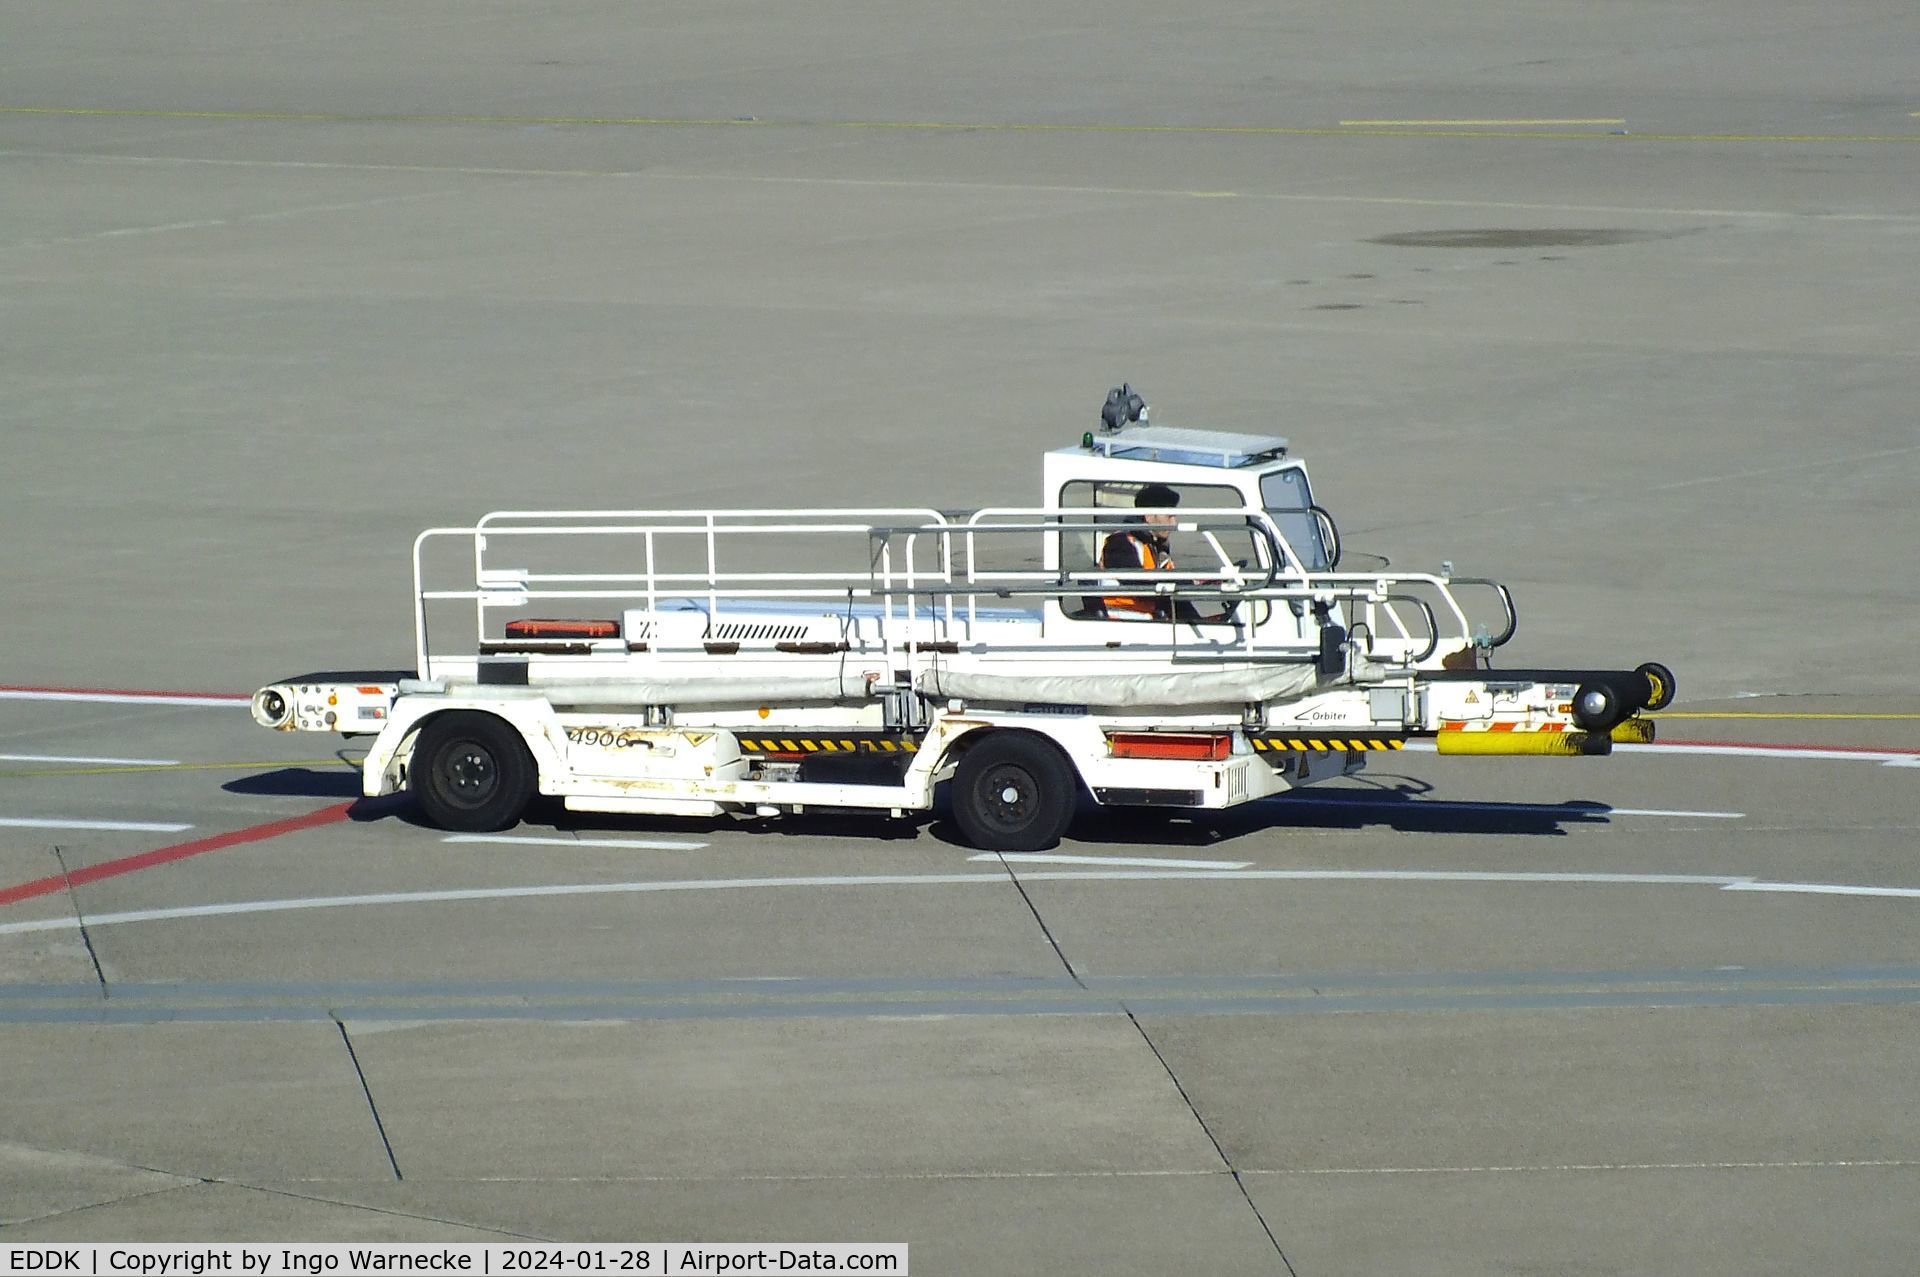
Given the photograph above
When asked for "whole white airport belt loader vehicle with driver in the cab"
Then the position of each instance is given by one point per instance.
(765, 662)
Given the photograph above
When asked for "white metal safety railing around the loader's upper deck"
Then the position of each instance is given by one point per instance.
(926, 577)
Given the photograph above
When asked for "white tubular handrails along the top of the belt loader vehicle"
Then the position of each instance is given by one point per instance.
(949, 560)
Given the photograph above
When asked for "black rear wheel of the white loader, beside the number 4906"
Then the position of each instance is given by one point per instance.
(471, 773)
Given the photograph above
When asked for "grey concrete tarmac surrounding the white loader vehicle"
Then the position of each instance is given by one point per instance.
(1610, 302)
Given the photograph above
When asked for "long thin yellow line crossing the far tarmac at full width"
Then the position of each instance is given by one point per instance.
(955, 126)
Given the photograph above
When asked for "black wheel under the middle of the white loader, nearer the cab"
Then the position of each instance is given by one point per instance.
(1015, 792)
